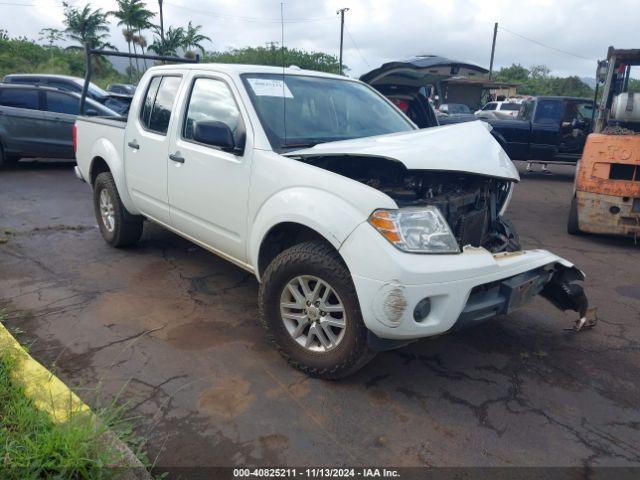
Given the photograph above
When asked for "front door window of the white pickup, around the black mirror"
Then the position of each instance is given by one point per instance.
(212, 100)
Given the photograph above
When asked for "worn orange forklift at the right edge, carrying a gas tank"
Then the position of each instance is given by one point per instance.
(607, 184)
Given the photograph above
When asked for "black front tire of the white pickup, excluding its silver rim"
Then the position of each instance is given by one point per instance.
(322, 261)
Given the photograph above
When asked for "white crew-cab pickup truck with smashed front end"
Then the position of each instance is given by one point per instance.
(364, 232)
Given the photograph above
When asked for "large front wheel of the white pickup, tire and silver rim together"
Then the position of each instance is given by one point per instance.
(309, 306)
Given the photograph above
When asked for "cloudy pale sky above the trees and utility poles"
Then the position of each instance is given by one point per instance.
(568, 36)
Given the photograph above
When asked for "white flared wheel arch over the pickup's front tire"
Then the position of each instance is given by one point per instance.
(324, 212)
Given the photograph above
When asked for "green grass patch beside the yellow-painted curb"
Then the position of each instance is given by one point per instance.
(33, 446)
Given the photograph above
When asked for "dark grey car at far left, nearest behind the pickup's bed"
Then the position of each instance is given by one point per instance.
(38, 121)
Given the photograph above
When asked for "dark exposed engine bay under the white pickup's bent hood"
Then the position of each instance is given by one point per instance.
(470, 203)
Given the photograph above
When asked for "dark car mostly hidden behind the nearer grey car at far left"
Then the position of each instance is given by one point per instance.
(116, 102)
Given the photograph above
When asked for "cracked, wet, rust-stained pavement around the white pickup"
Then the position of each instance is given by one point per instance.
(175, 329)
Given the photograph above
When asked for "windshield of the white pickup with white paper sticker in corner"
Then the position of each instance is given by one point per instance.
(304, 110)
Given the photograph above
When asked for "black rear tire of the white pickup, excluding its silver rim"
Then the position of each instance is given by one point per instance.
(127, 228)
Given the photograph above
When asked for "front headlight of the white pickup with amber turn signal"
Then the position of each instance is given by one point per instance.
(417, 230)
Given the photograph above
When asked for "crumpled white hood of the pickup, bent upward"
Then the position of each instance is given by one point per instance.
(465, 147)
